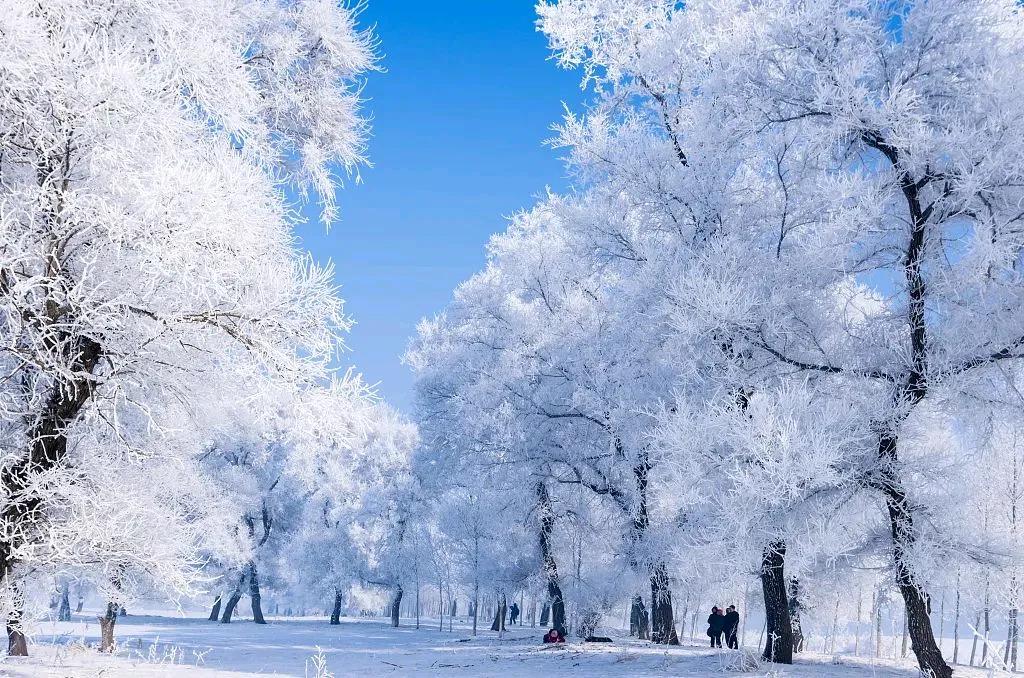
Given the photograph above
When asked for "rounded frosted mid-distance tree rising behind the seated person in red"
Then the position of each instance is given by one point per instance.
(540, 371)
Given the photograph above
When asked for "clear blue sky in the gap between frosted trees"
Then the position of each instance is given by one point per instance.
(459, 120)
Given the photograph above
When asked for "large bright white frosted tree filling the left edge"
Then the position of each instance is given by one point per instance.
(146, 253)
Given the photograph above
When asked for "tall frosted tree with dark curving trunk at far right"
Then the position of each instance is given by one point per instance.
(859, 153)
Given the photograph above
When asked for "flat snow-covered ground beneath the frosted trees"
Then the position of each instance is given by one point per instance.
(154, 647)
